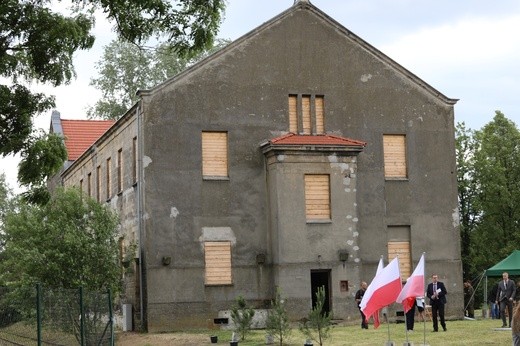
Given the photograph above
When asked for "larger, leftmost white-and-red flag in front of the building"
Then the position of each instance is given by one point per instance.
(383, 290)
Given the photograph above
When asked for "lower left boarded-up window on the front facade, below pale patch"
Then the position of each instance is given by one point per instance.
(217, 257)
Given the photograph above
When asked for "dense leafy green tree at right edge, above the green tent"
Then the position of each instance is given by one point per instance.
(497, 172)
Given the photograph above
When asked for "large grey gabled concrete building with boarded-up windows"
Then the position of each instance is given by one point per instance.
(293, 158)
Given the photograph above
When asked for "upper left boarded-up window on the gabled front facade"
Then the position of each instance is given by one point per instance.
(214, 154)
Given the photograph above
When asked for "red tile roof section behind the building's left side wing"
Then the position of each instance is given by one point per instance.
(81, 134)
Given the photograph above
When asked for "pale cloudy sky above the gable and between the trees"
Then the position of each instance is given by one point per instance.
(466, 49)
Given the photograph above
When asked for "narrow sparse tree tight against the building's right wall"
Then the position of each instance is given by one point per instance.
(467, 192)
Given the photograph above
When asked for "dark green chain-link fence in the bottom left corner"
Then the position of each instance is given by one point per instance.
(38, 316)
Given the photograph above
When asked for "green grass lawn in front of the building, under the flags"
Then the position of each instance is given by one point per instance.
(461, 332)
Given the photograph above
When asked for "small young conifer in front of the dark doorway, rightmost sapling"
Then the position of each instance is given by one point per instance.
(317, 325)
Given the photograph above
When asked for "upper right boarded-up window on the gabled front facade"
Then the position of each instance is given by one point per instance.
(395, 156)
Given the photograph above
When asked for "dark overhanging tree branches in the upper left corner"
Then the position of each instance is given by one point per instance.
(38, 44)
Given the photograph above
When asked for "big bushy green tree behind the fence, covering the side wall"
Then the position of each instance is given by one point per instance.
(68, 242)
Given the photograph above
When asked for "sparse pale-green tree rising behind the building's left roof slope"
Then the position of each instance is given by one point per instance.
(125, 68)
